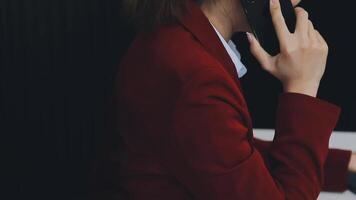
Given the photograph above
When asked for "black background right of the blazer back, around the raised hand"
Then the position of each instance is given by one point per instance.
(334, 22)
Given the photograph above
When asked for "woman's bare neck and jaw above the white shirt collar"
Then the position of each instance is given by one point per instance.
(220, 17)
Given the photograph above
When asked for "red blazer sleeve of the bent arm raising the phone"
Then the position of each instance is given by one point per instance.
(210, 153)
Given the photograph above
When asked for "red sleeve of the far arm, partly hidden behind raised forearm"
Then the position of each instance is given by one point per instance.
(335, 168)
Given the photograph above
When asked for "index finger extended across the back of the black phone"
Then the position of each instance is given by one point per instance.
(279, 22)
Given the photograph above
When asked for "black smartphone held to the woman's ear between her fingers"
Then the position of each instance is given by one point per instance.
(259, 18)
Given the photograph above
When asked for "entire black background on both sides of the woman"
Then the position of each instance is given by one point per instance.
(58, 59)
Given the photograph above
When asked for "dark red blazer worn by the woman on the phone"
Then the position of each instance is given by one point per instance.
(187, 131)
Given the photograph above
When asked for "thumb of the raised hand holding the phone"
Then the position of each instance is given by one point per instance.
(260, 54)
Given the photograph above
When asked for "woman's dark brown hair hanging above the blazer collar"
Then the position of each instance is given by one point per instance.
(150, 13)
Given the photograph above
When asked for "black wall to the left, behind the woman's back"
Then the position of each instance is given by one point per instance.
(57, 63)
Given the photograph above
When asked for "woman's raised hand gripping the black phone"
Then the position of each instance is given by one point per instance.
(302, 60)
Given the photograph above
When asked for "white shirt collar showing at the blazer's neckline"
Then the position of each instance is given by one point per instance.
(233, 53)
